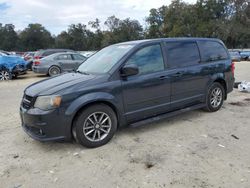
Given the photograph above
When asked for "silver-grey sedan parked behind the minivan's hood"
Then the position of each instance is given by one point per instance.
(57, 63)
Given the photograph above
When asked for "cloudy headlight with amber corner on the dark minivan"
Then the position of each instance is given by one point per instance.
(48, 102)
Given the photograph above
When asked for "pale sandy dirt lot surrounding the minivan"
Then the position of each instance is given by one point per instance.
(195, 149)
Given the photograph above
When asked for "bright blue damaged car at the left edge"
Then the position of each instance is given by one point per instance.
(11, 66)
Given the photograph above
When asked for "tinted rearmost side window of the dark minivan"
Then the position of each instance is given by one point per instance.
(212, 51)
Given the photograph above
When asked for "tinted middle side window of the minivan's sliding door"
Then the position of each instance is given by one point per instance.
(181, 54)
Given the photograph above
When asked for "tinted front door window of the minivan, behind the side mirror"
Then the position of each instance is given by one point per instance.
(148, 59)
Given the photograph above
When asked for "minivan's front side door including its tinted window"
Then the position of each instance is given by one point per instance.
(147, 93)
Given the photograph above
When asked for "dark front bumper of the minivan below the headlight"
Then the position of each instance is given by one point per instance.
(45, 125)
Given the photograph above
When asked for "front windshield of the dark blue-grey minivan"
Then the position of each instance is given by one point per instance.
(105, 59)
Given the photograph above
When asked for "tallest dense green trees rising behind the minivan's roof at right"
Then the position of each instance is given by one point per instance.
(228, 20)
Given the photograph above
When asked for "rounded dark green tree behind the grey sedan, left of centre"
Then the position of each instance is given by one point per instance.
(35, 37)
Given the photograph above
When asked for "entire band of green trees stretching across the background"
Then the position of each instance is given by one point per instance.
(228, 20)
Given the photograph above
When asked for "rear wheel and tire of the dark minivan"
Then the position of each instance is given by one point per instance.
(215, 97)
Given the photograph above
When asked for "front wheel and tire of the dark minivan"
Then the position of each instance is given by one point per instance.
(95, 126)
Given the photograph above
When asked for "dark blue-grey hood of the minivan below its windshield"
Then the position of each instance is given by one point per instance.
(52, 85)
